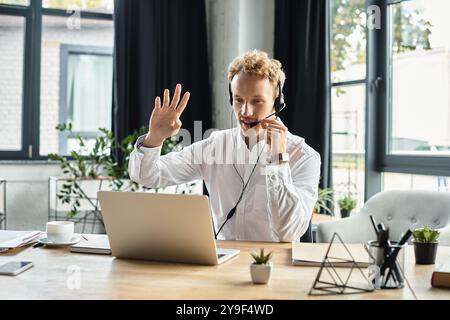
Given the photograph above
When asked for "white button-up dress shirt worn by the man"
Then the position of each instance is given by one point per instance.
(278, 202)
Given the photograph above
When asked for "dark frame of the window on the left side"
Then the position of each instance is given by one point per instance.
(31, 86)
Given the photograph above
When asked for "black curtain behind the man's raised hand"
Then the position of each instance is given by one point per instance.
(159, 43)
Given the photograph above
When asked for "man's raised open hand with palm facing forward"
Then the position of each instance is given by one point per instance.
(165, 119)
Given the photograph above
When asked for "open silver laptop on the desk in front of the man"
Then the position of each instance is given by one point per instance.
(162, 227)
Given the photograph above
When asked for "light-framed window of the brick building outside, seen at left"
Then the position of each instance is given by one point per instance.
(86, 93)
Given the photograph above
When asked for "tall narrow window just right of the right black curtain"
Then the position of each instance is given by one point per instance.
(348, 66)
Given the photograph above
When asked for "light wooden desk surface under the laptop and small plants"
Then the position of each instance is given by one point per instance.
(105, 277)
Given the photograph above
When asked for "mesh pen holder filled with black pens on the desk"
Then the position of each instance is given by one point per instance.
(387, 273)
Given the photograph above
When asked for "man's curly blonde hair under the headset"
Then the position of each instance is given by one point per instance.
(258, 63)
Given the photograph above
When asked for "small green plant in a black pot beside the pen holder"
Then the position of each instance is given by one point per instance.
(425, 242)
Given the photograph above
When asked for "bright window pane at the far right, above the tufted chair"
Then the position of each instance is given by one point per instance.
(420, 78)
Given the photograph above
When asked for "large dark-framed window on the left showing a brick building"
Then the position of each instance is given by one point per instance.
(55, 66)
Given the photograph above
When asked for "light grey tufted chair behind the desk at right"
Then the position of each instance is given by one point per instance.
(398, 210)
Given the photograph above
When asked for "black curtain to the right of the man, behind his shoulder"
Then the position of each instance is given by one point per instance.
(302, 36)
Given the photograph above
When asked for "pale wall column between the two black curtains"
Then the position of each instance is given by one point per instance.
(235, 26)
